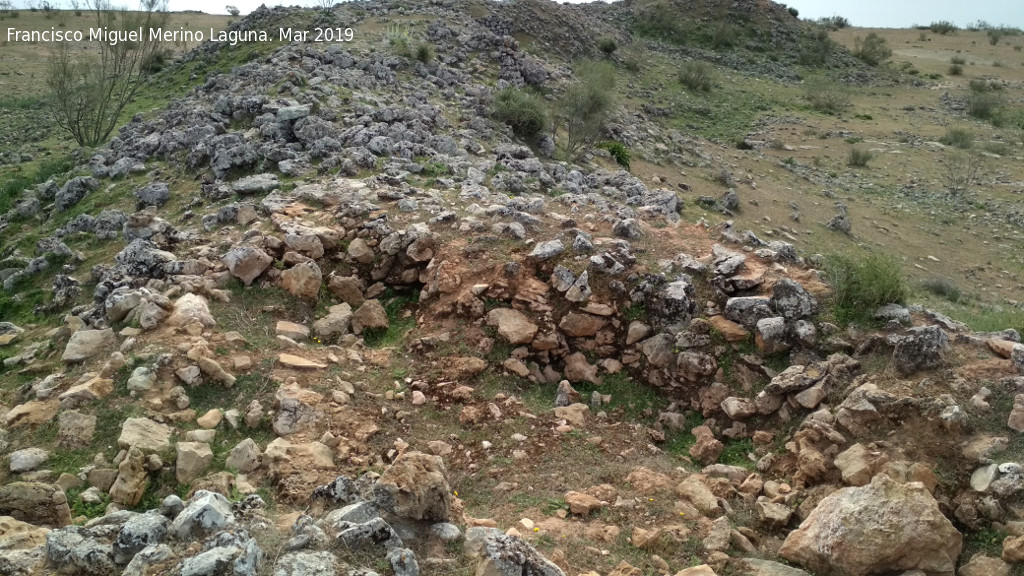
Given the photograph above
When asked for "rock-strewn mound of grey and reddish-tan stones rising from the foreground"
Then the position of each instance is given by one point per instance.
(323, 314)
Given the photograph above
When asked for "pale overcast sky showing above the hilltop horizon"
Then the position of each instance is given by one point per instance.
(869, 14)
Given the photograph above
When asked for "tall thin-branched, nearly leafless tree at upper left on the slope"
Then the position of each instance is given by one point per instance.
(90, 93)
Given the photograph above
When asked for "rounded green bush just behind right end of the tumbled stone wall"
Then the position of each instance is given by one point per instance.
(862, 284)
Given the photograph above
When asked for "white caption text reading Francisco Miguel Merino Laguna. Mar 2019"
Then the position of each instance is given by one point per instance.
(113, 37)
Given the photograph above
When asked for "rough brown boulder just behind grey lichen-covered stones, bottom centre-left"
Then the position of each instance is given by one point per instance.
(415, 487)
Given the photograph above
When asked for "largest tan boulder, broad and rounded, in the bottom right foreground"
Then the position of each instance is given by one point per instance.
(885, 527)
